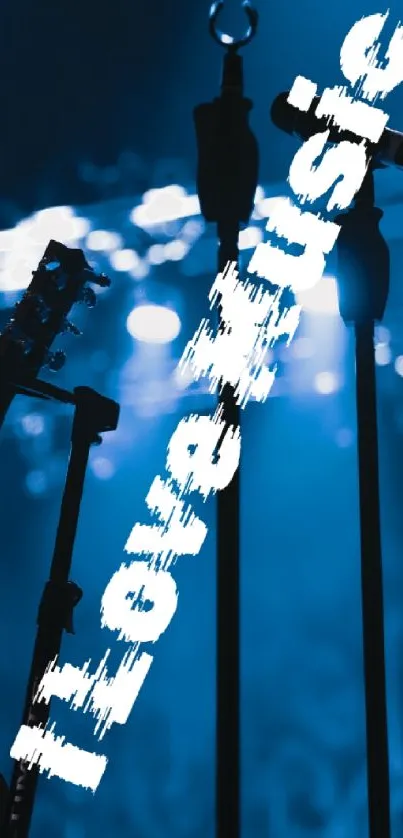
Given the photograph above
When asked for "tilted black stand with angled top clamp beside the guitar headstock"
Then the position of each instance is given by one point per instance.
(94, 414)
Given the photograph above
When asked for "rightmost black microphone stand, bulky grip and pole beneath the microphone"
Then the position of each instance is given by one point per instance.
(363, 277)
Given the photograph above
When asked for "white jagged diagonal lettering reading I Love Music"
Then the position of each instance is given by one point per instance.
(254, 318)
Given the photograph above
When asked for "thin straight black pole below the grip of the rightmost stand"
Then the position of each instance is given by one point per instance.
(372, 587)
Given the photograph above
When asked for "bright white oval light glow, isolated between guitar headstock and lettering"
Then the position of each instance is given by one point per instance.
(153, 324)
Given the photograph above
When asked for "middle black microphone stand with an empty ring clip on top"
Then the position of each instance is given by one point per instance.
(226, 184)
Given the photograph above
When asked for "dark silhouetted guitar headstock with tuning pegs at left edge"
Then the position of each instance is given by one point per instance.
(59, 282)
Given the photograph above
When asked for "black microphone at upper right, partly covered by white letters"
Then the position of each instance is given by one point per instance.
(305, 124)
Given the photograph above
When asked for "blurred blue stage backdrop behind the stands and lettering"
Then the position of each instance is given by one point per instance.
(80, 84)
